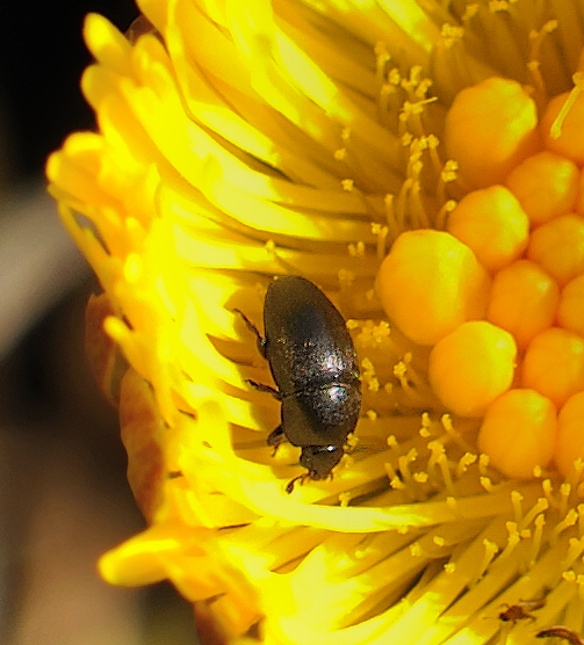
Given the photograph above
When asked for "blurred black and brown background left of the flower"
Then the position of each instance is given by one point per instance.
(64, 499)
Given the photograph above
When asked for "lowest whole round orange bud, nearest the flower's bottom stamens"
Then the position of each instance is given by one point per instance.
(519, 432)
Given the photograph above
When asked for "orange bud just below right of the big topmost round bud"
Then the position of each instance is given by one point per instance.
(546, 186)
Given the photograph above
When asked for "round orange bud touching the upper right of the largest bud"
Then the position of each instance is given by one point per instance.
(492, 223)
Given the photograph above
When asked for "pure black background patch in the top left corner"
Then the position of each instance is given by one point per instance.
(42, 55)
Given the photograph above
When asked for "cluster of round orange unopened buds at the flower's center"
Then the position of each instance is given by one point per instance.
(499, 296)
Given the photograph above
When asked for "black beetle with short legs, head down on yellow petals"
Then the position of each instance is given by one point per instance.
(314, 365)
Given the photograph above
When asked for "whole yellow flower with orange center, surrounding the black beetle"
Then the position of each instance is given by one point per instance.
(238, 141)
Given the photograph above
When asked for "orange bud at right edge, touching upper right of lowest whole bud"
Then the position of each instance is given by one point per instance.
(554, 364)
